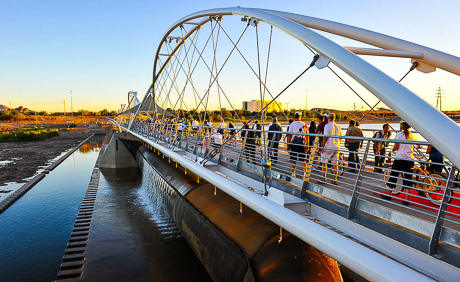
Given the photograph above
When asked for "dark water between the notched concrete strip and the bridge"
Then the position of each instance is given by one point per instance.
(147, 242)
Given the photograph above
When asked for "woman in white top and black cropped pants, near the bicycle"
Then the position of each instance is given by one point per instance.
(404, 161)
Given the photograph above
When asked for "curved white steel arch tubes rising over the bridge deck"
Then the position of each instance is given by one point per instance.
(436, 127)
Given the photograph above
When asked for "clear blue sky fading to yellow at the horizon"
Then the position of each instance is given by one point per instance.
(101, 50)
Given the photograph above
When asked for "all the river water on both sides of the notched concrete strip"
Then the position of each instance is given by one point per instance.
(133, 227)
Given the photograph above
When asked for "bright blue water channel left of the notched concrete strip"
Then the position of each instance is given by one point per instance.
(34, 231)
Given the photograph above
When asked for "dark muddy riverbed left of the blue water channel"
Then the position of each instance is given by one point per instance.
(19, 160)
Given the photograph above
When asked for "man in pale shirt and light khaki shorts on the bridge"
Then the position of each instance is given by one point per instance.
(331, 146)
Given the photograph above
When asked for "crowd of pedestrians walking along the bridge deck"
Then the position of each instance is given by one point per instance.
(325, 143)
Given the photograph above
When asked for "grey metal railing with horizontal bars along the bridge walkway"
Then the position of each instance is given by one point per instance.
(420, 192)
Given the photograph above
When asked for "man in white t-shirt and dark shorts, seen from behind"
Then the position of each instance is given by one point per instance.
(297, 143)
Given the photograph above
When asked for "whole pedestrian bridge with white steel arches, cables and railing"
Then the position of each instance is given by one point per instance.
(410, 233)
